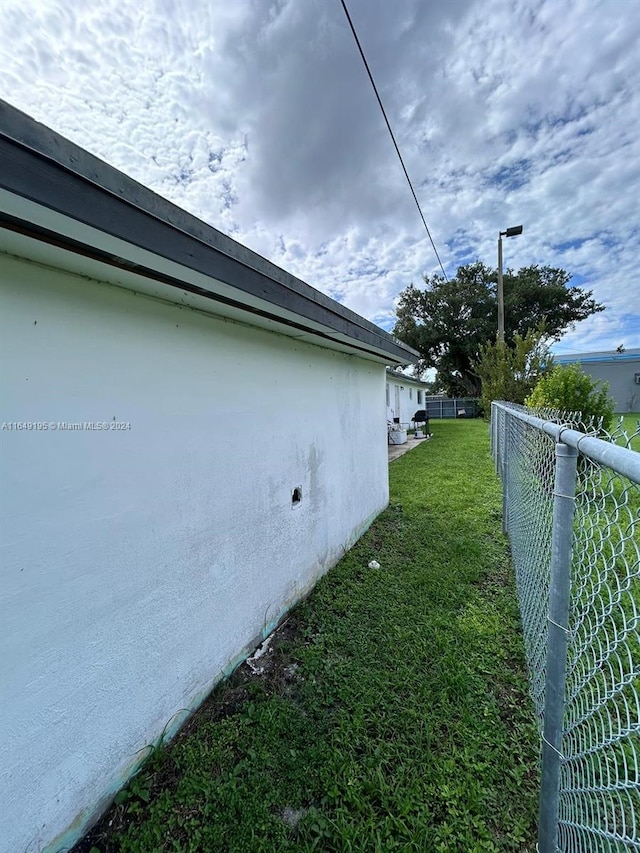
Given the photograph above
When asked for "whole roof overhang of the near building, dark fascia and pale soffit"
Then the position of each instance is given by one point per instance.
(62, 207)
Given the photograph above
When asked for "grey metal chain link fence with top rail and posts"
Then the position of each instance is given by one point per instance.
(571, 506)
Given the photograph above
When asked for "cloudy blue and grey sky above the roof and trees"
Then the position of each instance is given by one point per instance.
(258, 117)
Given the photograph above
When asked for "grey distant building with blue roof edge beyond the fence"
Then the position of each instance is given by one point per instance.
(620, 369)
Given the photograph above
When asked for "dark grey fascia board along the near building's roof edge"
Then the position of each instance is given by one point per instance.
(44, 167)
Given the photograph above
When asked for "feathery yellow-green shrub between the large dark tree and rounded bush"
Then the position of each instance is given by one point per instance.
(512, 372)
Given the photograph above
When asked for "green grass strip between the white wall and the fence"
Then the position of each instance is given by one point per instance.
(393, 713)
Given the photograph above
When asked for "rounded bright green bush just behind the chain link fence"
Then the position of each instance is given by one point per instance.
(569, 388)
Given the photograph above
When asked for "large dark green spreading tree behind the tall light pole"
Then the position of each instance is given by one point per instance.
(449, 321)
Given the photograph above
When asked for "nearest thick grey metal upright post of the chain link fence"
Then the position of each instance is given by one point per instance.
(561, 550)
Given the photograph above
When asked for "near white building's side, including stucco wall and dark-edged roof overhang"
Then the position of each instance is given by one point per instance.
(191, 437)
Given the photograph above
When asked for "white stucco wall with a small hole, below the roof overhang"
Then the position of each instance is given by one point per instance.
(138, 565)
